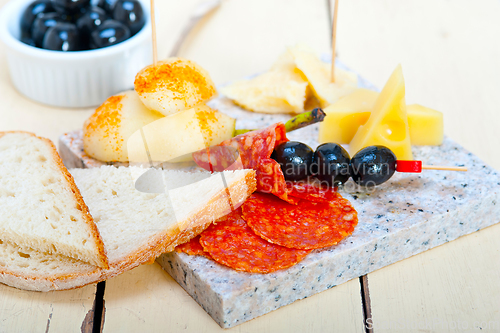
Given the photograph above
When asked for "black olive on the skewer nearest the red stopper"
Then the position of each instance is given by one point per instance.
(373, 165)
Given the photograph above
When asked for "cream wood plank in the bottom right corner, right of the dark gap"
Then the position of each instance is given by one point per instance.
(454, 287)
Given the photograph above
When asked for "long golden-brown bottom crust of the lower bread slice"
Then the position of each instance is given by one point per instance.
(160, 243)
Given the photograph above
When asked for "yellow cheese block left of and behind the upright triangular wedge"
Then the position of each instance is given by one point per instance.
(344, 117)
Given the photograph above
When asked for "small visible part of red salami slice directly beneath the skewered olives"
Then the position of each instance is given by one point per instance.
(312, 191)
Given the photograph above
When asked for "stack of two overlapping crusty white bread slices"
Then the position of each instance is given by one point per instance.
(50, 241)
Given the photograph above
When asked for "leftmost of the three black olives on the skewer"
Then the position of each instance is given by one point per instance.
(295, 159)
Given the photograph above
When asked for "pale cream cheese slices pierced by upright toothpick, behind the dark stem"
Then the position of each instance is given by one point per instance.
(289, 85)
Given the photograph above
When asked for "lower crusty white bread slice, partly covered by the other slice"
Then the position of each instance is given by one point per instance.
(136, 227)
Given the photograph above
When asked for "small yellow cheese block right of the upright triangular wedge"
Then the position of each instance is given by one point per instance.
(426, 125)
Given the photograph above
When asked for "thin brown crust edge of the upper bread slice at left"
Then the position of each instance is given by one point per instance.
(102, 257)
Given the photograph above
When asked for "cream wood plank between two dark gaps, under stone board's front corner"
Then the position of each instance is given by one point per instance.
(147, 299)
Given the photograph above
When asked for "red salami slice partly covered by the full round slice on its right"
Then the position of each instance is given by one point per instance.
(232, 243)
